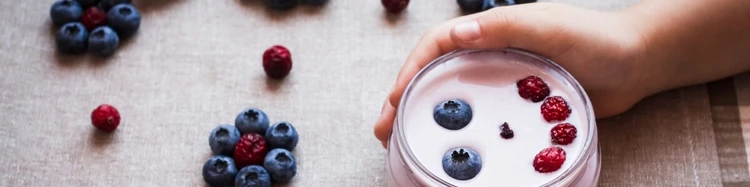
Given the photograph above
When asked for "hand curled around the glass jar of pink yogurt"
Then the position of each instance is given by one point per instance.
(597, 48)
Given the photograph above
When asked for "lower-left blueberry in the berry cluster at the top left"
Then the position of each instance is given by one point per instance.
(72, 38)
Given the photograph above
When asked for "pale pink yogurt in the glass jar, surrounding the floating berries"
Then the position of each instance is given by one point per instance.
(486, 79)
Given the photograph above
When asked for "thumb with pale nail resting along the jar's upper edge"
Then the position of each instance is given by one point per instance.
(518, 27)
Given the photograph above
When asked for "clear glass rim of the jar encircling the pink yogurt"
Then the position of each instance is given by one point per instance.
(580, 161)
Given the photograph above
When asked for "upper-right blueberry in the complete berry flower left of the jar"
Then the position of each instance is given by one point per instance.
(282, 135)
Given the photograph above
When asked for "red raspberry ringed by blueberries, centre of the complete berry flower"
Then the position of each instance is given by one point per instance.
(250, 150)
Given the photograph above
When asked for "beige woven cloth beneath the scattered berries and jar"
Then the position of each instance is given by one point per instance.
(196, 63)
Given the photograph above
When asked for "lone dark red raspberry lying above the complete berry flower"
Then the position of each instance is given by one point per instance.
(277, 62)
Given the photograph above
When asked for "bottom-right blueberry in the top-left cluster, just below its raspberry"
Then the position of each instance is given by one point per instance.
(103, 41)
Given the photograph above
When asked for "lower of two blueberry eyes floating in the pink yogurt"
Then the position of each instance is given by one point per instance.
(462, 163)
